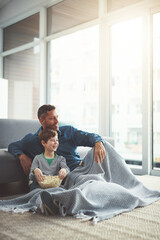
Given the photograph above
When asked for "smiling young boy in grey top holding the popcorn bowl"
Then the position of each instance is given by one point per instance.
(47, 163)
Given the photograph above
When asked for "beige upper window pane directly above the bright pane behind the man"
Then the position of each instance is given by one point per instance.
(69, 13)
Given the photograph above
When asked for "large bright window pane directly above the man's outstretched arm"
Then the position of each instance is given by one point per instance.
(74, 72)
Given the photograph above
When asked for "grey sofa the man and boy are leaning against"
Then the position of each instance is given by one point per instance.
(12, 176)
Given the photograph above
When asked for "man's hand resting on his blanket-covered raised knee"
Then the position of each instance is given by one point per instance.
(99, 152)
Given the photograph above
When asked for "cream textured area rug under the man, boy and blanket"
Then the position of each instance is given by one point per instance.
(141, 223)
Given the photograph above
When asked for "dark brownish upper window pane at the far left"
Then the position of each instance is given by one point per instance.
(21, 32)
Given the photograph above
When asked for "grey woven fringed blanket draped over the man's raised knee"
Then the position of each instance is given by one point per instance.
(92, 191)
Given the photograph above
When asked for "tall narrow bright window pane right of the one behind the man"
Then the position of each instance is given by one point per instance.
(126, 78)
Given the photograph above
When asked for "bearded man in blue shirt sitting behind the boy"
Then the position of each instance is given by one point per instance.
(69, 138)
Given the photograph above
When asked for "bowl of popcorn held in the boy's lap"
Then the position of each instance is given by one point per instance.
(50, 182)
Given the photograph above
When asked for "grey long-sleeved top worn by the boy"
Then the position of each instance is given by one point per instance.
(53, 169)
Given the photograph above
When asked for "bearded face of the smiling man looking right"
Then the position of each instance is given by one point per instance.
(50, 121)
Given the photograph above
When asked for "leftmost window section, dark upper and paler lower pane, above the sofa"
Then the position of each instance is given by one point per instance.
(21, 69)
